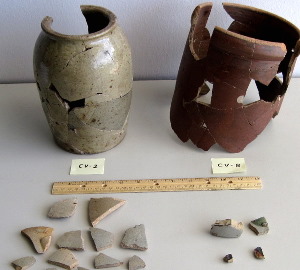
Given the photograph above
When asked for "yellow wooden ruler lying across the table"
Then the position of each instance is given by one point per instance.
(157, 185)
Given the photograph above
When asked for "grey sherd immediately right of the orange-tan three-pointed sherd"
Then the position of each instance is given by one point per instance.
(71, 240)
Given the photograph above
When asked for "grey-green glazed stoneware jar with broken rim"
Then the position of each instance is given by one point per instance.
(85, 82)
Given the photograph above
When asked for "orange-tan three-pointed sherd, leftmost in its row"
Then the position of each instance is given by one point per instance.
(40, 237)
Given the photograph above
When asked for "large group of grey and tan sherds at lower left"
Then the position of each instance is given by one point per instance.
(99, 208)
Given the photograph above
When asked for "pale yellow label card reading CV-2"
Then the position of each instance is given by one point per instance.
(88, 166)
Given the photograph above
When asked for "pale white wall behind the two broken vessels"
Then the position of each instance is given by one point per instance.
(156, 29)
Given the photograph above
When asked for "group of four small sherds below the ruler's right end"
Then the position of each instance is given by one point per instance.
(230, 228)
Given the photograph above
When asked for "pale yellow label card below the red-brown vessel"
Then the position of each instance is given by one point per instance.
(228, 165)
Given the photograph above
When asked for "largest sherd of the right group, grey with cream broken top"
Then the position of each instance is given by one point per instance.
(227, 228)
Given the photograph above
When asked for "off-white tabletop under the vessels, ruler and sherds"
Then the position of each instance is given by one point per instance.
(177, 223)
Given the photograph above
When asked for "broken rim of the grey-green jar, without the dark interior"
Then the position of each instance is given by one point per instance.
(112, 22)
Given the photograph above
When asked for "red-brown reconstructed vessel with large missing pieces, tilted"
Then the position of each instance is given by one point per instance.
(256, 46)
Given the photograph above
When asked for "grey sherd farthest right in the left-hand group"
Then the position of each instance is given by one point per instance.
(135, 238)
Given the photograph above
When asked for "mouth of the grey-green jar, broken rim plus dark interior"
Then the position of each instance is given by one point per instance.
(99, 21)
